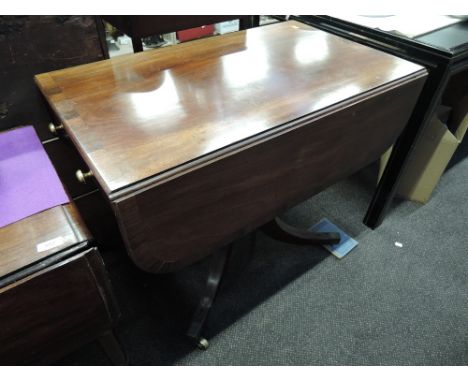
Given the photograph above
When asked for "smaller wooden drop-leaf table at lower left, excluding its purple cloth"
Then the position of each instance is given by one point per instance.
(54, 292)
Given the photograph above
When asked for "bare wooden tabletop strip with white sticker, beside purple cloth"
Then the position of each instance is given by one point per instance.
(18, 241)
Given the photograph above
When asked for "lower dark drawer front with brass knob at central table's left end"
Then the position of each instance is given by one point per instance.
(67, 161)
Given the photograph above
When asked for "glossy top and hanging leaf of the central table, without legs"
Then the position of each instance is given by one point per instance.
(196, 144)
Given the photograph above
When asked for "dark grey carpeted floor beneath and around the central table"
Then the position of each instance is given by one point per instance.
(292, 305)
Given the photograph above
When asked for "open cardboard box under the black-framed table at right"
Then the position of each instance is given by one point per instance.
(431, 156)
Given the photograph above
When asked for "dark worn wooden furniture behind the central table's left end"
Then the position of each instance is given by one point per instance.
(36, 44)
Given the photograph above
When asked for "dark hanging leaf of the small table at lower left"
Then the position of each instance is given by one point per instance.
(55, 311)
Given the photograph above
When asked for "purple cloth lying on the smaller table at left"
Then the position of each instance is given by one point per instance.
(28, 181)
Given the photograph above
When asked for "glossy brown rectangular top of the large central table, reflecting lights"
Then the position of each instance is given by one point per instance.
(139, 116)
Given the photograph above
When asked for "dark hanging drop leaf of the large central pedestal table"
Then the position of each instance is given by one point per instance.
(170, 225)
